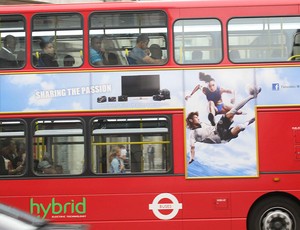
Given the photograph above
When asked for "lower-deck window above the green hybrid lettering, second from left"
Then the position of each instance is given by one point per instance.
(58, 147)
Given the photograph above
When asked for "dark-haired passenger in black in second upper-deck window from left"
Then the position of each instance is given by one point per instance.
(47, 57)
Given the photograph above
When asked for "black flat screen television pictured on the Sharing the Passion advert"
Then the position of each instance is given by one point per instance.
(140, 85)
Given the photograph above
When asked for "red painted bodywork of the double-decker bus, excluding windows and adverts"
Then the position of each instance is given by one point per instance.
(128, 201)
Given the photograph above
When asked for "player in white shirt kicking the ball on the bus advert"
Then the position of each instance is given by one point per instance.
(222, 132)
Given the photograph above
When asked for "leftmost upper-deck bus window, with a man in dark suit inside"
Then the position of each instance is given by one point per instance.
(12, 42)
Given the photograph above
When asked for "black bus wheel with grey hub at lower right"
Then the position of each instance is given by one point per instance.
(274, 213)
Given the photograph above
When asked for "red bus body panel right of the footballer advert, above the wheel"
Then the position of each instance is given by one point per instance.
(276, 127)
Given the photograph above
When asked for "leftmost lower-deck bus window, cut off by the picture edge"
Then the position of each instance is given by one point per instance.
(12, 148)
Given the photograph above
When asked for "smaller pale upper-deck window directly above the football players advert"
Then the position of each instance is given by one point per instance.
(197, 41)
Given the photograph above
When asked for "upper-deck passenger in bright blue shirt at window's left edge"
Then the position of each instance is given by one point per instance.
(96, 51)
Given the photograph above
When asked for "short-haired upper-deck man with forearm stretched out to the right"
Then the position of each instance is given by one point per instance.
(139, 54)
